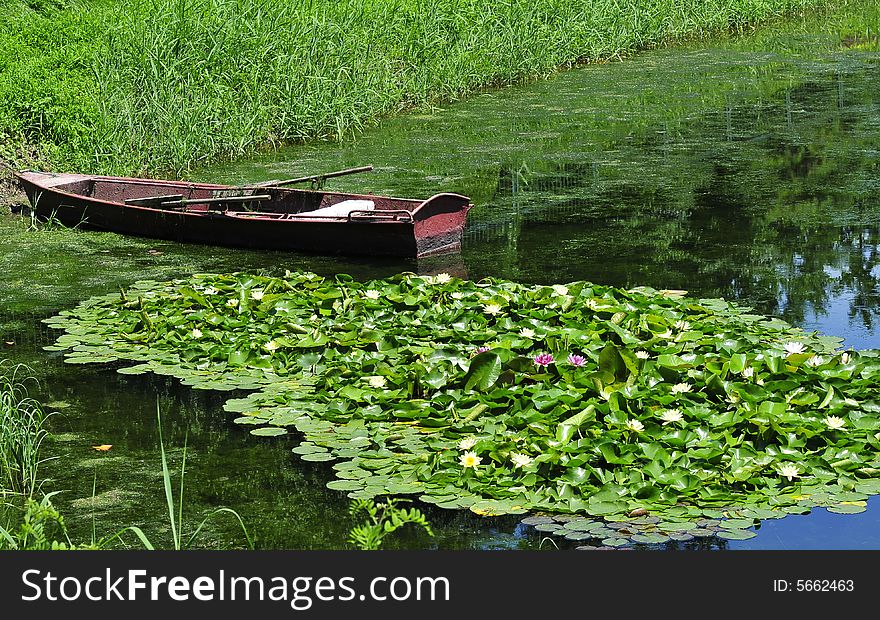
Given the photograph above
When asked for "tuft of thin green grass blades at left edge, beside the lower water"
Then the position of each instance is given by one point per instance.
(21, 432)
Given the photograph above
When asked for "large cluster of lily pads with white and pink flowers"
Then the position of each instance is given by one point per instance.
(638, 407)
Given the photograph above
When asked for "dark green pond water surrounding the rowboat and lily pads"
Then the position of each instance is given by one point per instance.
(746, 168)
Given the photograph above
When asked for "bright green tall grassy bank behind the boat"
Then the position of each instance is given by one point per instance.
(129, 86)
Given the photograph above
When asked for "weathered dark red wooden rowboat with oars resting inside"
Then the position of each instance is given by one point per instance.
(257, 216)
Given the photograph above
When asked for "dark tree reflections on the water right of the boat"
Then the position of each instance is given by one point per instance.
(782, 215)
